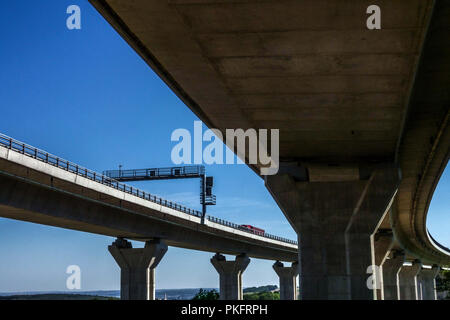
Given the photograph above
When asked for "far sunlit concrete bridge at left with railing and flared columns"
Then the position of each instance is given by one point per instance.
(39, 187)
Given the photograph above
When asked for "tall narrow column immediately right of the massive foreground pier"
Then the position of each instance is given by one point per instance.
(384, 241)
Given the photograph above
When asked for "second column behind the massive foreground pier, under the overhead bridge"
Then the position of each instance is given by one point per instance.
(390, 268)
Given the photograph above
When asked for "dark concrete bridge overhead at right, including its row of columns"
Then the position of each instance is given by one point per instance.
(363, 118)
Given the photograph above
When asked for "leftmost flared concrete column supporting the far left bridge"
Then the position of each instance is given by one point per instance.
(137, 268)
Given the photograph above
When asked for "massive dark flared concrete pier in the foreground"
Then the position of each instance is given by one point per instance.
(319, 216)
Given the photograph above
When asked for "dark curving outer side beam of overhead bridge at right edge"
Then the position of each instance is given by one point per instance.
(423, 149)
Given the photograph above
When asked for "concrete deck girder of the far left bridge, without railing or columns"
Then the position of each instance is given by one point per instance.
(31, 190)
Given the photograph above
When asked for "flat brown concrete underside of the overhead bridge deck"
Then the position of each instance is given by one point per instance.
(309, 68)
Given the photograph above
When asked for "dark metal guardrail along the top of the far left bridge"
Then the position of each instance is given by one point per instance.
(51, 159)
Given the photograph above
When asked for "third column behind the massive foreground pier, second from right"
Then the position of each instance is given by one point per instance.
(407, 281)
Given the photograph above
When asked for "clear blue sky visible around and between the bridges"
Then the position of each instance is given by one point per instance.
(86, 96)
